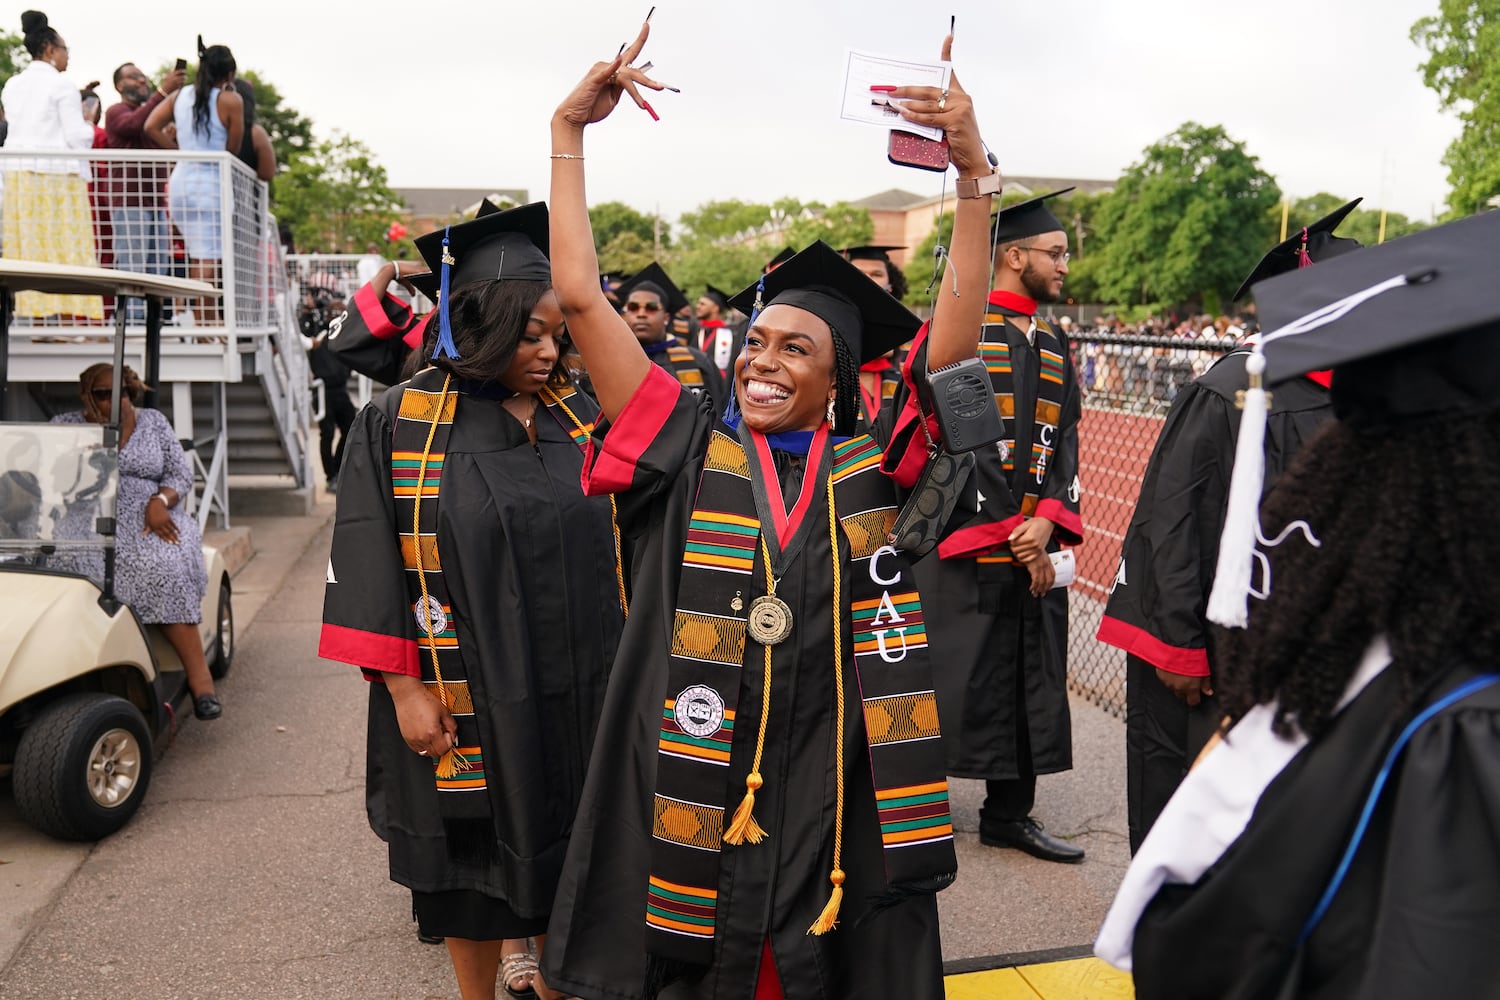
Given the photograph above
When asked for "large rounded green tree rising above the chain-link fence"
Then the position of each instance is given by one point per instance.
(1187, 223)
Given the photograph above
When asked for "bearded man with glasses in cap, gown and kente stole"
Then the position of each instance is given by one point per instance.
(1001, 632)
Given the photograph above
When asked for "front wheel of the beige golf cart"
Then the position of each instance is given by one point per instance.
(83, 767)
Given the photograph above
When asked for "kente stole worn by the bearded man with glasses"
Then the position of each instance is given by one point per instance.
(997, 358)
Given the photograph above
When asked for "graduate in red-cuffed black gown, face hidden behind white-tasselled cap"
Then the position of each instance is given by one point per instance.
(1157, 608)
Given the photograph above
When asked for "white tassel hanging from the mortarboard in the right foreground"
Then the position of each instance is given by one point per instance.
(1229, 602)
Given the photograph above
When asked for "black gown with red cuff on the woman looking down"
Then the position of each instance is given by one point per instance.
(530, 566)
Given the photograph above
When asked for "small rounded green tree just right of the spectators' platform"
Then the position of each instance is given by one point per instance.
(337, 197)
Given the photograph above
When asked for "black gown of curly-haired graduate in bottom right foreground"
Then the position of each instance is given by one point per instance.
(1420, 912)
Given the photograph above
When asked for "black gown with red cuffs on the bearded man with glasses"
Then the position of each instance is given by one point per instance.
(1000, 654)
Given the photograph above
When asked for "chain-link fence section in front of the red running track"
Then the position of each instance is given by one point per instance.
(1129, 385)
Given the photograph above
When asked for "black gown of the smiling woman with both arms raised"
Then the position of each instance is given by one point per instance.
(775, 890)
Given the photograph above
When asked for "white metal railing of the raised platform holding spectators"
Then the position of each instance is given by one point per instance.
(161, 212)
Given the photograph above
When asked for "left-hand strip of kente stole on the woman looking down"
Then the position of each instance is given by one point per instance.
(425, 410)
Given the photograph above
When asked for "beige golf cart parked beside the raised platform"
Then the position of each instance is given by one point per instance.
(88, 692)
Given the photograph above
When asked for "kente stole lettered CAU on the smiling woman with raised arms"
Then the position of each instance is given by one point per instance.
(883, 623)
